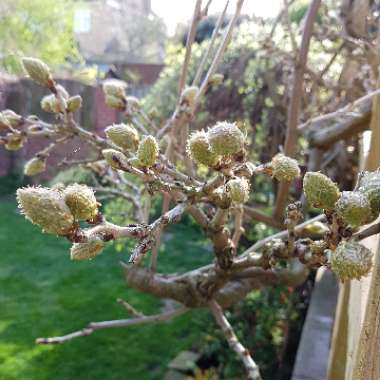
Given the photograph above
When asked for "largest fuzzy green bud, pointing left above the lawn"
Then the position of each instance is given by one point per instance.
(46, 208)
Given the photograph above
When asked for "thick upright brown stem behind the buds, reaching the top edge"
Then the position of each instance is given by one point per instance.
(295, 103)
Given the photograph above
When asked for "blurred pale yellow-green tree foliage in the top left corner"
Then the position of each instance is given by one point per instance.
(43, 28)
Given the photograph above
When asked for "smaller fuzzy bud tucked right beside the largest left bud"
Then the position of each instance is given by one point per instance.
(81, 201)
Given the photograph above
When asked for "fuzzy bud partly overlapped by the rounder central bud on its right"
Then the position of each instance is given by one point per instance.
(199, 150)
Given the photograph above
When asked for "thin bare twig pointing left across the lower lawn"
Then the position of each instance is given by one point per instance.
(93, 326)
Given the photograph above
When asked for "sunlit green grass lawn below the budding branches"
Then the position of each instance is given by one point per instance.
(43, 293)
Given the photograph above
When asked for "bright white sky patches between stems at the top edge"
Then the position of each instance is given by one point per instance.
(175, 11)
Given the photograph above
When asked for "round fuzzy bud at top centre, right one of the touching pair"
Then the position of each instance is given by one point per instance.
(225, 138)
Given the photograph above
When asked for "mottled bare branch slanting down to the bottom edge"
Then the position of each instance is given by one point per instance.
(251, 367)
